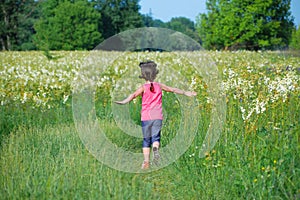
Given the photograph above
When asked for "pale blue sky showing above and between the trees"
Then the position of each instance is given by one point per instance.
(166, 9)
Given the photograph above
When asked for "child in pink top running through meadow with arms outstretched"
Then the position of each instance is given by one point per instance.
(151, 114)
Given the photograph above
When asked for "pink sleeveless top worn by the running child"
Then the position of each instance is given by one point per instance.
(152, 102)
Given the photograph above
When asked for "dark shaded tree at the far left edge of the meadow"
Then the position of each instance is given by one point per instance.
(16, 24)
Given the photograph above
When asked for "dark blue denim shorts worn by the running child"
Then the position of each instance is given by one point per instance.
(151, 131)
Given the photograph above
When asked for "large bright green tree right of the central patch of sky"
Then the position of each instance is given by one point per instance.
(246, 24)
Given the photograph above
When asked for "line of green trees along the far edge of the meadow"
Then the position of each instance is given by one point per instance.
(83, 24)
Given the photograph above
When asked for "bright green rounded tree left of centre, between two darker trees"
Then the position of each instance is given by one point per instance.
(66, 25)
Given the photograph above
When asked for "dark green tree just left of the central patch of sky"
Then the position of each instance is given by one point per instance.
(118, 16)
